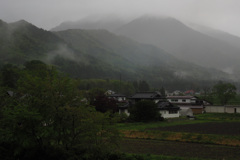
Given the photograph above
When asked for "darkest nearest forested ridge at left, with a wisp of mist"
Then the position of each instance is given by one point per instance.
(21, 41)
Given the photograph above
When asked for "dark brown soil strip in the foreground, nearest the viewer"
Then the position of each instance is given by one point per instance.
(141, 146)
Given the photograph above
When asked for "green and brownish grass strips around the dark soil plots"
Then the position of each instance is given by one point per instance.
(141, 128)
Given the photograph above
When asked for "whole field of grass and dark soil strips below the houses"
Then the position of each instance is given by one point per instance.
(219, 133)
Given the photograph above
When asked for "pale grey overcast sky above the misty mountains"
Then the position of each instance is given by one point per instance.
(219, 14)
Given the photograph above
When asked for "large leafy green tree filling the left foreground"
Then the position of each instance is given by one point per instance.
(49, 119)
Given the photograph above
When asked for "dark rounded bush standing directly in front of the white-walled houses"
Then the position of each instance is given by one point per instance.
(145, 110)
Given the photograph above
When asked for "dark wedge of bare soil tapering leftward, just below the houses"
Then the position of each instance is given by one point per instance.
(223, 128)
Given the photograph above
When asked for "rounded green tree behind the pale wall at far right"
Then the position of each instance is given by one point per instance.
(224, 92)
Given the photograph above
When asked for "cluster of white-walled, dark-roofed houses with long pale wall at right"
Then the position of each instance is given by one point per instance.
(172, 106)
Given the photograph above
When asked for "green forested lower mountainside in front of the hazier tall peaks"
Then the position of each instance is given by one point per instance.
(99, 54)
